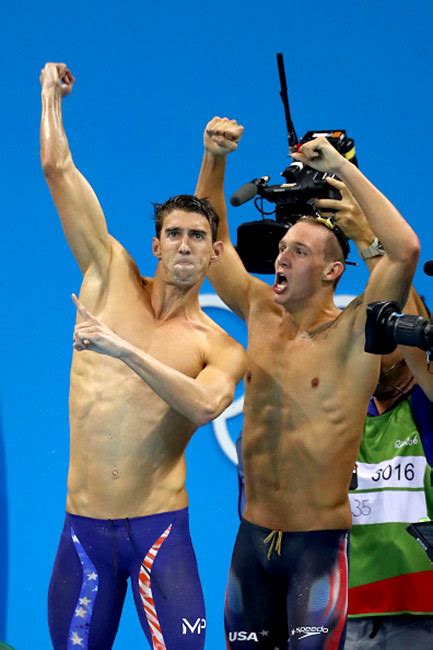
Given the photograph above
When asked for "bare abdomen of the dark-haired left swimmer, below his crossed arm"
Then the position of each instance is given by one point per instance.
(127, 445)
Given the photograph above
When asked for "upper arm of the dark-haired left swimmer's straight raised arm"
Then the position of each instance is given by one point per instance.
(82, 218)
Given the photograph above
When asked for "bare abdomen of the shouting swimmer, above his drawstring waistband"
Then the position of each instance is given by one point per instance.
(298, 472)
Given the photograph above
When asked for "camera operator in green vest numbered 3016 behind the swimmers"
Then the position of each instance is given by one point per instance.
(390, 595)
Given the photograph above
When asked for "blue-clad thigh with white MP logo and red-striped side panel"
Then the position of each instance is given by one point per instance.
(167, 589)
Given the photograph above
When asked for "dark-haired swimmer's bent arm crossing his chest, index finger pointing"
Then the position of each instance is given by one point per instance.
(200, 399)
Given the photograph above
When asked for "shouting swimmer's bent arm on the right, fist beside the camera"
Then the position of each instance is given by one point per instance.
(392, 276)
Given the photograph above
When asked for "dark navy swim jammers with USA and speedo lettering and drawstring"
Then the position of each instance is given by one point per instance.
(287, 590)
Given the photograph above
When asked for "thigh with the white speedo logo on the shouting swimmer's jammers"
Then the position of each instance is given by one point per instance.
(317, 599)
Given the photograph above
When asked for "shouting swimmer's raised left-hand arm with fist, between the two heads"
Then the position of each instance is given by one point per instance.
(229, 277)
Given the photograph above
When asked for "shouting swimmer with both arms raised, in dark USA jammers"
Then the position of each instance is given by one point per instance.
(306, 395)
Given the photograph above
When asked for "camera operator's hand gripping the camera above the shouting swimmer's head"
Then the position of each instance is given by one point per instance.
(347, 214)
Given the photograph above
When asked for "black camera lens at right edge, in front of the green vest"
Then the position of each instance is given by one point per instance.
(386, 327)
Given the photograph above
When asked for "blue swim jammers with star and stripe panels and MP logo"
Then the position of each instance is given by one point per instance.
(94, 560)
